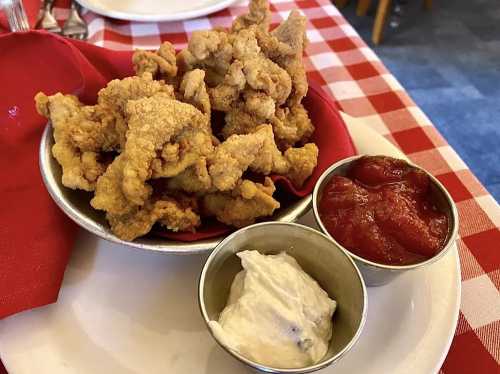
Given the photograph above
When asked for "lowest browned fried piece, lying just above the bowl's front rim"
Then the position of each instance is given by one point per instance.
(139, 221)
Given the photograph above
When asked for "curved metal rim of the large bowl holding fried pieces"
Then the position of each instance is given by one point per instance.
(302, 206)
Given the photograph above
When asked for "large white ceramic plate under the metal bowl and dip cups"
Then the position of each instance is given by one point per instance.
(123, 310)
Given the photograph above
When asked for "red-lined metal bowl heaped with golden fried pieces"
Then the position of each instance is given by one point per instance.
(198, 143)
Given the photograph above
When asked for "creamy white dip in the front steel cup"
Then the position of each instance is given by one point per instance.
(276, 314)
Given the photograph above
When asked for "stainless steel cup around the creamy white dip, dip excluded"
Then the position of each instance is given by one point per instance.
(319, 256)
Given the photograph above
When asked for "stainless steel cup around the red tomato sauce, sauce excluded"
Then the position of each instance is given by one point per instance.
(376, 274)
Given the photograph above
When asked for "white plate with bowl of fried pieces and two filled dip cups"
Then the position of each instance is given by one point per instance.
(214, 138)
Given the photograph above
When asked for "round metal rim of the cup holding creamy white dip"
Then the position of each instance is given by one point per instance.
(270, 369)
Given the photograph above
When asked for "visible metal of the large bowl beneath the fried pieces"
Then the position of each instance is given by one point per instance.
(76, 204)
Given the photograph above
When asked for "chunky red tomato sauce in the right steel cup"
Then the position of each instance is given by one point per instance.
(384, 212)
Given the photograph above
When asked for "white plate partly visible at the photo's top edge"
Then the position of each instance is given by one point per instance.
(155, 10)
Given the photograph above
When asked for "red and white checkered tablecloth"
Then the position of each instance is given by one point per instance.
(362, 86)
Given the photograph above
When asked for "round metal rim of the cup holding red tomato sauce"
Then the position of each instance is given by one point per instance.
(452, 233)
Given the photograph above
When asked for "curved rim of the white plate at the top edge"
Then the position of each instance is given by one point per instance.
(177, 16)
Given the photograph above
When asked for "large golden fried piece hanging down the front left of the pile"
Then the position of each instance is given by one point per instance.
(152, 122)
